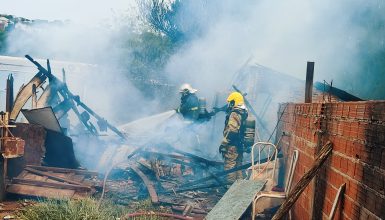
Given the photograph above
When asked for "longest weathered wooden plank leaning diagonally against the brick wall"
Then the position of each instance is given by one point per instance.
(304, 181)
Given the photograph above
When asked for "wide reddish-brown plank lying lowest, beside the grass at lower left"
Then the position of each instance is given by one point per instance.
(40, 191)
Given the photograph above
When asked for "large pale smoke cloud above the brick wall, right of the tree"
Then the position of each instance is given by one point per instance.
(282, 35)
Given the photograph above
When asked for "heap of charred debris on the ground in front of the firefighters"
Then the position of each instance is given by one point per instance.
(169, 177)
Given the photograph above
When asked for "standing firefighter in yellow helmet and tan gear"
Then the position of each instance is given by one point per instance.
(231, 147)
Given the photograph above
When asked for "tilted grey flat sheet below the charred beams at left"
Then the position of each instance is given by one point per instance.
(44, 117)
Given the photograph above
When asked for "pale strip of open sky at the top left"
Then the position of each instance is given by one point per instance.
(65, 9)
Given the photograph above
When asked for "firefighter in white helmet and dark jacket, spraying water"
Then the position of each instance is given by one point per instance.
(189, 105)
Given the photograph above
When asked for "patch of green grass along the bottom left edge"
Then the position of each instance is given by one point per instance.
(82, 209)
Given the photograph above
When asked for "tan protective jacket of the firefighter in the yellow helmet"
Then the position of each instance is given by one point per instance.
(234, 131)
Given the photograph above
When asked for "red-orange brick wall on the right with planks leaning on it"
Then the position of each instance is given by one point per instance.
(357, 131)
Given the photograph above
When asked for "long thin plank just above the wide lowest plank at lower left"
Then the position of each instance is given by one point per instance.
(50, 184)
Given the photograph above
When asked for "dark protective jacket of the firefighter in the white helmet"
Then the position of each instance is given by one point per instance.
(189, 106)
